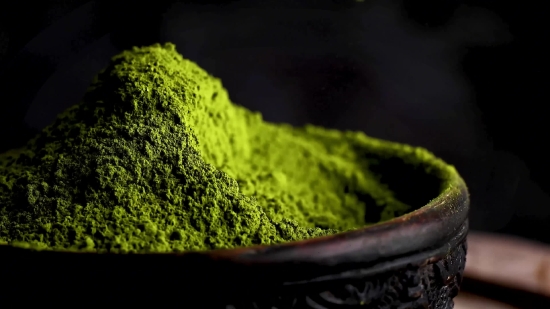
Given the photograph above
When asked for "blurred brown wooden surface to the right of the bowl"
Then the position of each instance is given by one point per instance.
(509, 263)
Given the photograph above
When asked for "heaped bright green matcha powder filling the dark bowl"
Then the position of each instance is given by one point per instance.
(157, 158)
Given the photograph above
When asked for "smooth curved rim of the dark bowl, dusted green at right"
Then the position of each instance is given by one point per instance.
(433, 225)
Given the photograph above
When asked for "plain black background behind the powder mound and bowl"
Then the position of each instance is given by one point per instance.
(461, 78)
